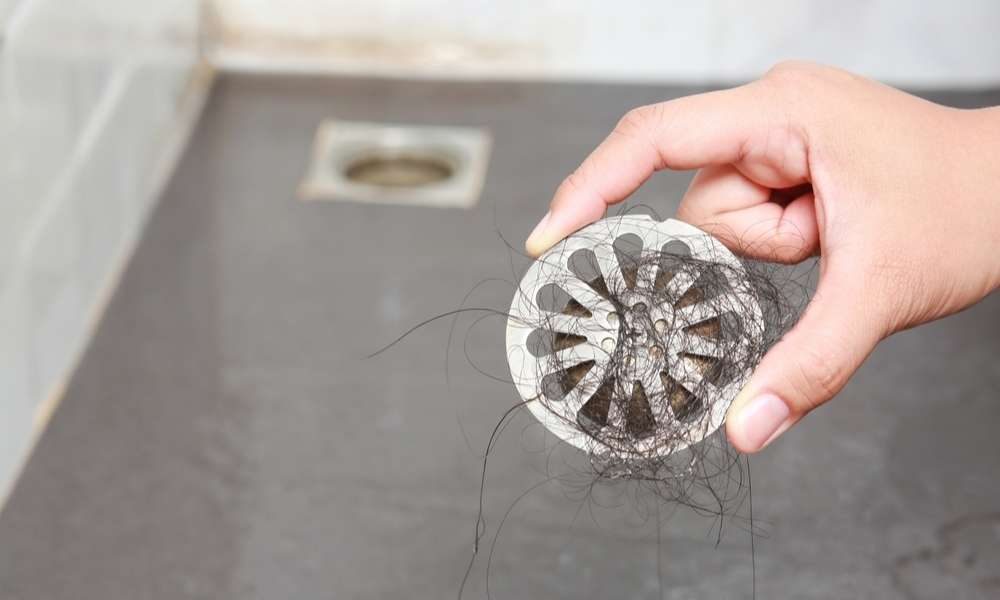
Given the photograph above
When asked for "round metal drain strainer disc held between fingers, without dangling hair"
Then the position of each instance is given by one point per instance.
(632, 336)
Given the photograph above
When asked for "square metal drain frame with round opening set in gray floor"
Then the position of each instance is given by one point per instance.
(397, 164)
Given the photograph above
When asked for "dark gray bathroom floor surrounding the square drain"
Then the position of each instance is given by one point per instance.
(224, 439)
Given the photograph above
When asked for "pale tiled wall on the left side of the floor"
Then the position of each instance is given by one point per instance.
(91, 95)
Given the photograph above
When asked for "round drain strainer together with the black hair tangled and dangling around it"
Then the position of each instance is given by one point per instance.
(629, 341)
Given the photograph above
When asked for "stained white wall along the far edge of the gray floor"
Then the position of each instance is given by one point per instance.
(933, 43)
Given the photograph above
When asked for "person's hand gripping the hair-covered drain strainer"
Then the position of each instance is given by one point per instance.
(900, 198)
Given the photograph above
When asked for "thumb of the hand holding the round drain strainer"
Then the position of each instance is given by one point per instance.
(808, 366)
